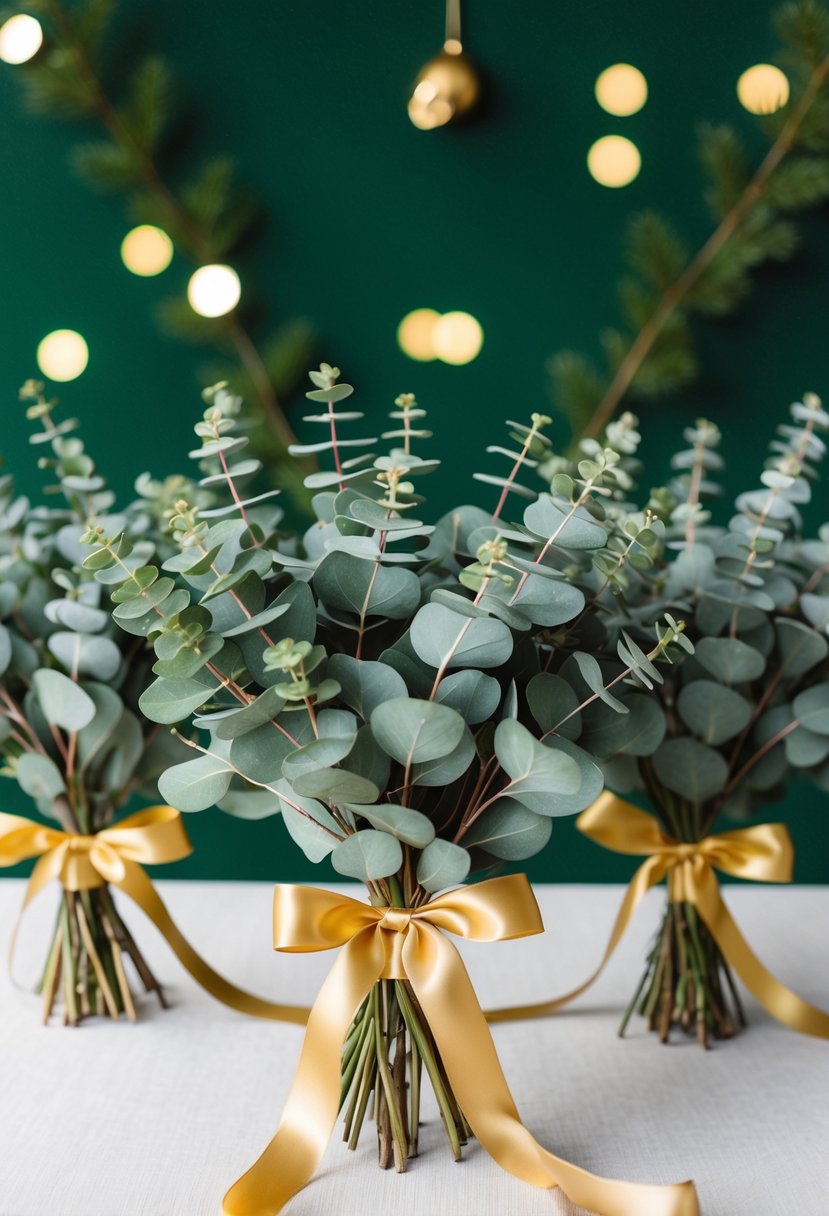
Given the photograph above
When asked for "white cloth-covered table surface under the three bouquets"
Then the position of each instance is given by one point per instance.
(160, 1118)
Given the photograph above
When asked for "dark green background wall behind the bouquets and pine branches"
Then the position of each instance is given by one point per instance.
(369, 218)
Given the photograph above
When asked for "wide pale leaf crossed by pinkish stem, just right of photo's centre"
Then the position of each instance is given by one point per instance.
(445, 639)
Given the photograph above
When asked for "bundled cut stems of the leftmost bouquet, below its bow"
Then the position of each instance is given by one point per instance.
(86, 971)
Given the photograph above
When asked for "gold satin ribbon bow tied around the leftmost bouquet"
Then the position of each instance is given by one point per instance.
(117, 855)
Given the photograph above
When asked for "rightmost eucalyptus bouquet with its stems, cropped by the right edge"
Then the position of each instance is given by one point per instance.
(730, 729)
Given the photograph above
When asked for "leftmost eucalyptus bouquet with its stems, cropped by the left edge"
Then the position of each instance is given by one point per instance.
(71, 735)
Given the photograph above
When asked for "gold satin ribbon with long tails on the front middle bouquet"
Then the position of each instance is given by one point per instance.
(381, 943)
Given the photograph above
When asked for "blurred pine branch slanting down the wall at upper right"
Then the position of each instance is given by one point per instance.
(667, 286)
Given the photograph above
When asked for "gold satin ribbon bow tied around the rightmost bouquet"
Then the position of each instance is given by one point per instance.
(763, 853)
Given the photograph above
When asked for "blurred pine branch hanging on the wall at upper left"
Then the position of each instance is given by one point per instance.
(206, 218)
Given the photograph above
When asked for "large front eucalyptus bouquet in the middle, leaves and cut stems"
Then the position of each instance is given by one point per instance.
(376, 682)
